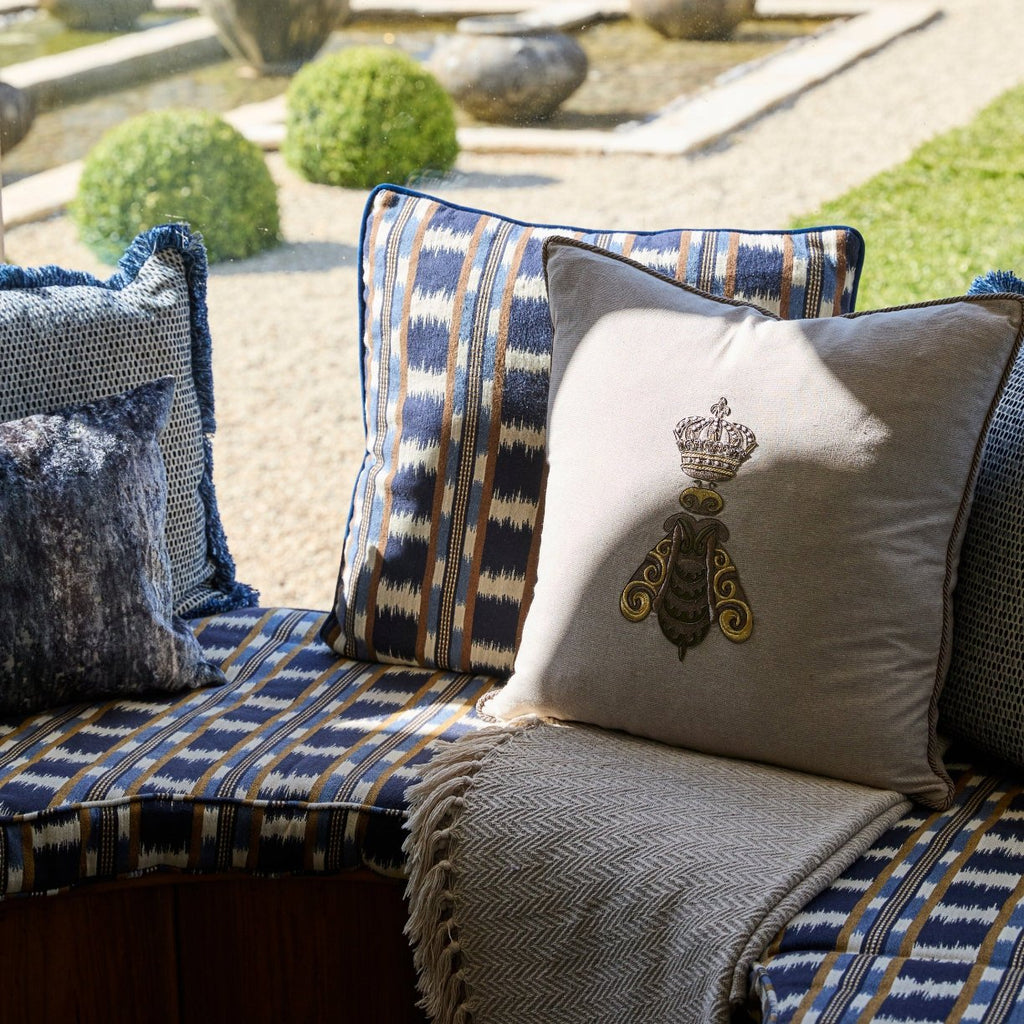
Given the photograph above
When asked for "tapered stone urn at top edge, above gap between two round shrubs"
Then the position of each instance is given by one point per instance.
(276, 37)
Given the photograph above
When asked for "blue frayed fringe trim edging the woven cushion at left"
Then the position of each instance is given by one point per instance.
(190, 246)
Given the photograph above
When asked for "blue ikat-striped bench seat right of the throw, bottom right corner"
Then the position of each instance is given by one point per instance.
(927, 926)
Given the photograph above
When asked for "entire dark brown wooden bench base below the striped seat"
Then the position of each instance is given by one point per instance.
(181, 949)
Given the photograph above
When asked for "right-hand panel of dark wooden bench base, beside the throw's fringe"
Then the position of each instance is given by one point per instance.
(317, 950)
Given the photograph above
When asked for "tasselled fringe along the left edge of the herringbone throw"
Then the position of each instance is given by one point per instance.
(436, 805)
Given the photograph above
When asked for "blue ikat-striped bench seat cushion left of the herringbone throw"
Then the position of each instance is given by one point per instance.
(300, 764)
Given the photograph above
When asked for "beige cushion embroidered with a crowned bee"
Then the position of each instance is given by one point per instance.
(796, 608)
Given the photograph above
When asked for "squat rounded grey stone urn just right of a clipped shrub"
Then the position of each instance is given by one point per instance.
(500, 69)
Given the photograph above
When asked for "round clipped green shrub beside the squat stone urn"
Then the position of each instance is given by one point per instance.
(367, 115)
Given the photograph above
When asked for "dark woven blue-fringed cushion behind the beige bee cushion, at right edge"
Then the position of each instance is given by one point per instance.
(984, 699)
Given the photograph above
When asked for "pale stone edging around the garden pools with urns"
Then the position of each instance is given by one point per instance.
(687, 126)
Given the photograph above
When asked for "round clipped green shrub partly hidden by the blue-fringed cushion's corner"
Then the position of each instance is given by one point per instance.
(178, 165)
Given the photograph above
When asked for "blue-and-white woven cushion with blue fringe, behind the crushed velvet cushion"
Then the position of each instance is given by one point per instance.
(67, 337)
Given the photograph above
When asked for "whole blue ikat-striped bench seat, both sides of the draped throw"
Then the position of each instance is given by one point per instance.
(303, 762)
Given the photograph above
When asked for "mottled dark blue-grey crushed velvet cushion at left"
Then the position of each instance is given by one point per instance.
(84, 574)
